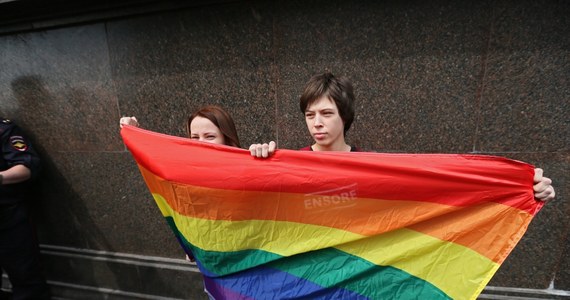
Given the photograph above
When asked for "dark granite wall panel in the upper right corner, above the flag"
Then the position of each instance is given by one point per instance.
(525, 101)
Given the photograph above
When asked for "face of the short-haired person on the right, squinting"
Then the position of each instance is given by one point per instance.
(324, 122)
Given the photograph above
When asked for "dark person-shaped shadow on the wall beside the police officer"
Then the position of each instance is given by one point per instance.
(62, 218)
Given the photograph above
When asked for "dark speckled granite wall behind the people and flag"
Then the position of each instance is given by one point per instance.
(486, 77)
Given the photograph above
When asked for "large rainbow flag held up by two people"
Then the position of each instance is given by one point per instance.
(324, 225)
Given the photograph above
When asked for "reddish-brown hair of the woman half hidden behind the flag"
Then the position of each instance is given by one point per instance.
(221, 119)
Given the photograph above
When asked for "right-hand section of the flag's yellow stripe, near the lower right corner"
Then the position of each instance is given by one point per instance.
(444, 264)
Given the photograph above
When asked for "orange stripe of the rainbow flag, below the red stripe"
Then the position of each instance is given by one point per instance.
(449, 223)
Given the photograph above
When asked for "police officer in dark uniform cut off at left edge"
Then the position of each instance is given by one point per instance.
(19, 251)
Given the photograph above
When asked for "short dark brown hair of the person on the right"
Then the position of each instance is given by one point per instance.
(336, 89)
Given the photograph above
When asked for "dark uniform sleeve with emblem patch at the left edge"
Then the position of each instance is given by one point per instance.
(17, 149)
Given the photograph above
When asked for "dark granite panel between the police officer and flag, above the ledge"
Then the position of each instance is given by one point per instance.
(99, 201)
